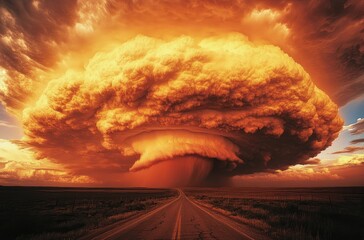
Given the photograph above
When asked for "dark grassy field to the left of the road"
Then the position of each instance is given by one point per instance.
(67, 213)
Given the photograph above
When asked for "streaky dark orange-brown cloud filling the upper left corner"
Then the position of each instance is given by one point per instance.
(31, 33)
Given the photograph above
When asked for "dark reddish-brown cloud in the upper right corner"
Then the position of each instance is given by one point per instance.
(333, 31)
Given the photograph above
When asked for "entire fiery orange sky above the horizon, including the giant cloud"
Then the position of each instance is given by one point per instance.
(174, 93)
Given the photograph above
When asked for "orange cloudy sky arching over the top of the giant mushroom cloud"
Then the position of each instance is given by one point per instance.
(42, 39)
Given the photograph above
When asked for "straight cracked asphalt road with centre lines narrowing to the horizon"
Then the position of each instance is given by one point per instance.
(181, 218)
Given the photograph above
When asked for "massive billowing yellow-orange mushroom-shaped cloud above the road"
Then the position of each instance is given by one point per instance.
(242, 107)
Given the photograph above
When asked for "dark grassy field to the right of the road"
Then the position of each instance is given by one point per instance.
(291, 213)
